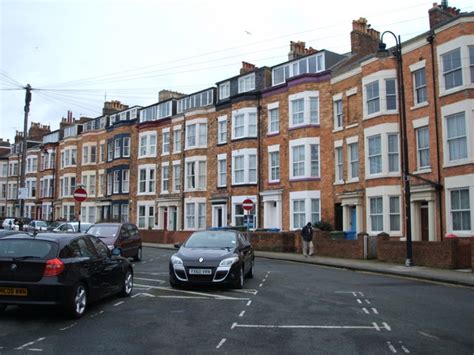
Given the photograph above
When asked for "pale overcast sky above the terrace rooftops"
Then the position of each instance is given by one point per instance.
(80, 52)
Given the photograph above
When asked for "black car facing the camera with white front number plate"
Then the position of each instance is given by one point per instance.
(213, 257)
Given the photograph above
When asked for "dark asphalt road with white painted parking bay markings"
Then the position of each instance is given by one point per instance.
(287, 308)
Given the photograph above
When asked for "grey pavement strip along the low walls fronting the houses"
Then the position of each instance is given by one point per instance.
(463, 277)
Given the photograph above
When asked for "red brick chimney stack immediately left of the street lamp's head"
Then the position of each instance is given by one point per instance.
(364, 40)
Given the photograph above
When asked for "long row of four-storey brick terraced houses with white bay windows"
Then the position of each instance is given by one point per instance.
(316, 138)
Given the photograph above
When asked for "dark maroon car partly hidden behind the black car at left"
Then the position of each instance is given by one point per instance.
(123, 236)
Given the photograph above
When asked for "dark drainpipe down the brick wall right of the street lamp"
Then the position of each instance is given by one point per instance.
(430, 40)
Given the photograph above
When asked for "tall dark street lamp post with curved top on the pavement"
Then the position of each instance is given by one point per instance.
(404, 138)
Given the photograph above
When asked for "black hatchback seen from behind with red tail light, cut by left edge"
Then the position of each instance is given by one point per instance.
(66, 270)
